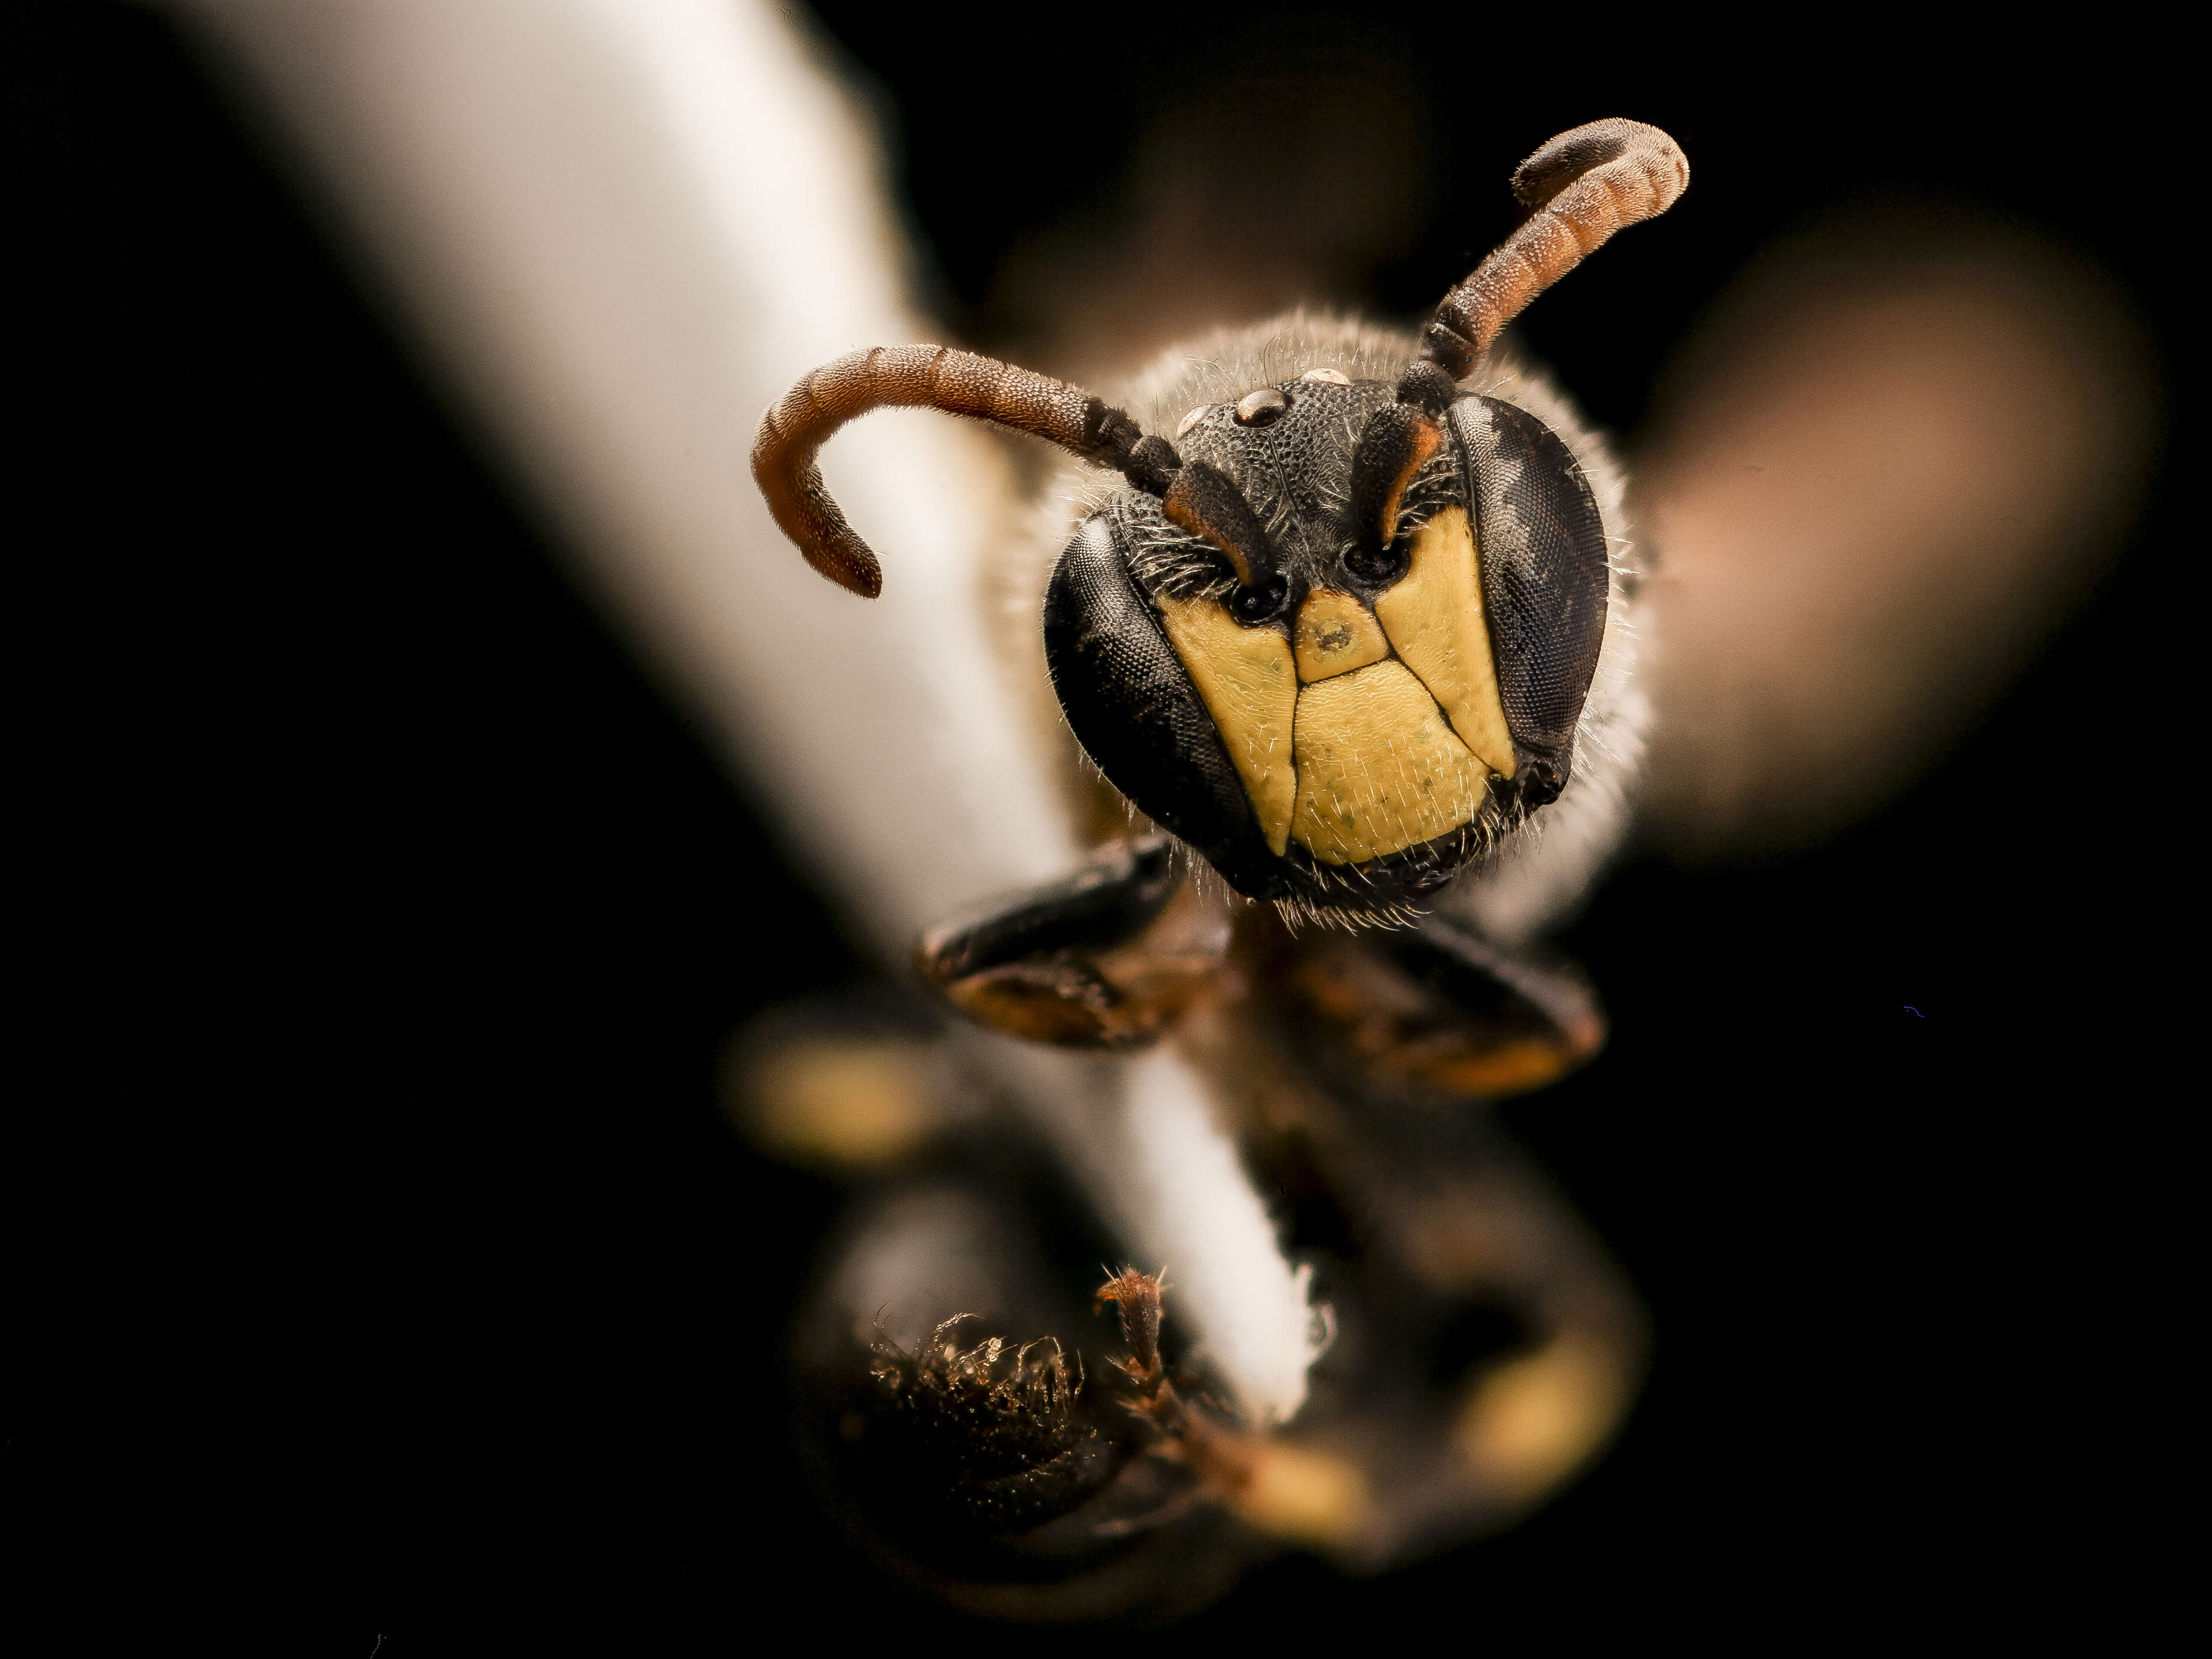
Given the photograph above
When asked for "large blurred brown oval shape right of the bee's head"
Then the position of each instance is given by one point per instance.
(1884, 470)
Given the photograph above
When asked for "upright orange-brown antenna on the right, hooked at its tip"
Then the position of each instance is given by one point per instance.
(1583, 187)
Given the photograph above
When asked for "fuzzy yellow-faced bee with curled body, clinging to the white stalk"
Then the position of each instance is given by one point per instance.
(1353, 640)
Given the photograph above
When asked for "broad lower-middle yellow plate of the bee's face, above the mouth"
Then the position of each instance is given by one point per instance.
(1379, 769)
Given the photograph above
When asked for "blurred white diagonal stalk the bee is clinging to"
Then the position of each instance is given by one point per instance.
(625, 229)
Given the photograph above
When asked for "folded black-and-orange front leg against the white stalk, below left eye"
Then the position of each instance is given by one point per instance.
(1105, 959)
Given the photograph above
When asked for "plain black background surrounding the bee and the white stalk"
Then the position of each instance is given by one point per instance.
(379, 1260)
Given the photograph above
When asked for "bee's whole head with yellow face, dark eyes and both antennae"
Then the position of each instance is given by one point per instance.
(1335, 634)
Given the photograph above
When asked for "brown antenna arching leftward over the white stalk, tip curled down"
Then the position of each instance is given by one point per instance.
(926, 377)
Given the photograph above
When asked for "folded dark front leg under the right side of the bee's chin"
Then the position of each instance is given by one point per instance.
(1441, 1010)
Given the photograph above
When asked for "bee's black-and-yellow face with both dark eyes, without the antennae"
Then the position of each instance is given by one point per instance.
(1353, 722)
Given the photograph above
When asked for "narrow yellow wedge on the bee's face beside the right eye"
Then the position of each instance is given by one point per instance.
(1434, 620)
